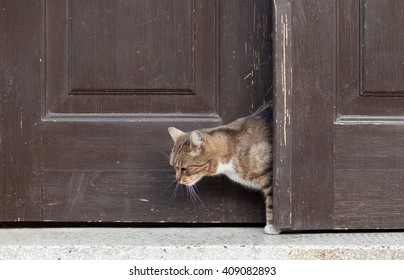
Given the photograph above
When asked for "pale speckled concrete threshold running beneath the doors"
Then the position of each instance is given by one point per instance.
(193, 244)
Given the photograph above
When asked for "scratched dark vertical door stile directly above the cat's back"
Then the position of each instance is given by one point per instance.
(245, 56)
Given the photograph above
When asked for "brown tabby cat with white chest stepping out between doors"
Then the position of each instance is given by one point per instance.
(241, 150)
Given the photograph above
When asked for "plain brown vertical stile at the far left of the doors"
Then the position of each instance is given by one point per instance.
(20, 68)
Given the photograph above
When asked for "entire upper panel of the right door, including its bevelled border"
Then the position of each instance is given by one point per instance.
(370, 59)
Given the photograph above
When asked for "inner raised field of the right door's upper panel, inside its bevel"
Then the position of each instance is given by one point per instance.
(381, 28)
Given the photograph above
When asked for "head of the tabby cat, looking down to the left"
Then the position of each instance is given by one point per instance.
(192, 155)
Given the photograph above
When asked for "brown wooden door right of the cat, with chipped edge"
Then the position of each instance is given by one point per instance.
(340, 111)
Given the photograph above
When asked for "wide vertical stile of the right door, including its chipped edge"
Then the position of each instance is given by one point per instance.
(304, 95)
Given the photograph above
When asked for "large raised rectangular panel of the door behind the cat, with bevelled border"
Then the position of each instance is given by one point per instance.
(130, 57)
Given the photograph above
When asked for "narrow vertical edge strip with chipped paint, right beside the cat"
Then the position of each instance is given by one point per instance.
(283, 106)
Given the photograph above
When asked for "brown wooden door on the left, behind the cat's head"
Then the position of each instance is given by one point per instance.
(88, 89)
